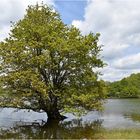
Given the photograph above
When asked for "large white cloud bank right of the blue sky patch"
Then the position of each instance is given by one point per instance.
(118, 21)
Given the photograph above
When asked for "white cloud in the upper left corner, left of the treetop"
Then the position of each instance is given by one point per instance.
(13, 10)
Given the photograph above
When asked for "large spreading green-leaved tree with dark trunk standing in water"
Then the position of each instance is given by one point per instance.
(47, 65)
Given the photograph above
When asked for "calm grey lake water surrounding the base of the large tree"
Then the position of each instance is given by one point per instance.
(118, 113)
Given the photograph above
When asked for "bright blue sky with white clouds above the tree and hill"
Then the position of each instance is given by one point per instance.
(118, 22)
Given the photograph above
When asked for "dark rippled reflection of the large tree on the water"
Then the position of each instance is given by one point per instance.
(53, 130)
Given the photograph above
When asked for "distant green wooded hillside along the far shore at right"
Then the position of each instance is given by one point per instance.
(126, 88)
